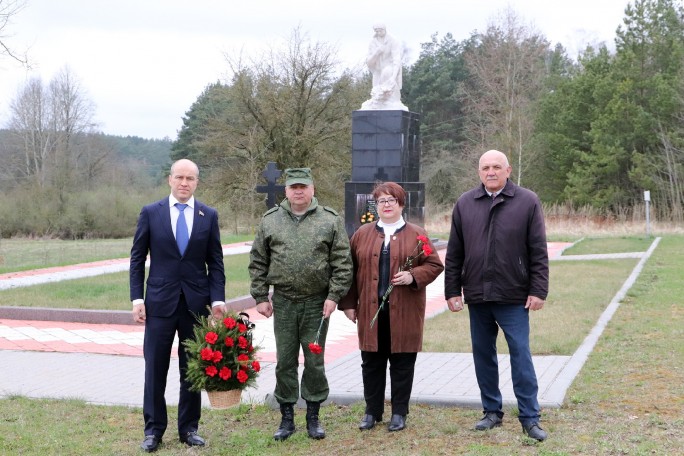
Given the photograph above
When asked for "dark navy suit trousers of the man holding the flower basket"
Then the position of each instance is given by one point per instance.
(159, 336)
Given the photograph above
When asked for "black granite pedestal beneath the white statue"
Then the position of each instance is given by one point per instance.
(385, 147)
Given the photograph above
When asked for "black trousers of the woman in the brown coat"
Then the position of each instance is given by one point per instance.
(374, 373)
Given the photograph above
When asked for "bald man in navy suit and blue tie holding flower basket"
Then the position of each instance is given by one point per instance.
(186, 276)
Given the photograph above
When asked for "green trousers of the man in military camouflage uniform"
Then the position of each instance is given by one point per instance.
(295, 324)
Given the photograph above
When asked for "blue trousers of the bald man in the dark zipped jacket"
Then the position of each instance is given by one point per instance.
(513, 319)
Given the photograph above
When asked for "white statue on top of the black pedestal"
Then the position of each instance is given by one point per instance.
(384, 62)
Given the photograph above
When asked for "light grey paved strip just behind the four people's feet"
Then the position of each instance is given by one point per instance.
(444, 379)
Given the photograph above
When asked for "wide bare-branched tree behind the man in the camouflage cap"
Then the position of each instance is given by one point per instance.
(290, 105)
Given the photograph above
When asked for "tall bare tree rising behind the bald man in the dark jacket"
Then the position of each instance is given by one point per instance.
(507, 71)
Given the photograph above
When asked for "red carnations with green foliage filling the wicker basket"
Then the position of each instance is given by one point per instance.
(221, 356)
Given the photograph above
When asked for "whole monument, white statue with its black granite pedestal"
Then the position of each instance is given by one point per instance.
(385, 139)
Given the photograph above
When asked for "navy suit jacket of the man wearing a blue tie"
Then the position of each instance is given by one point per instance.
(198, 274)
